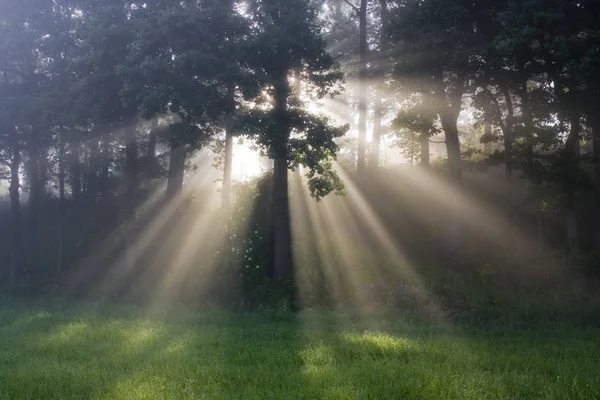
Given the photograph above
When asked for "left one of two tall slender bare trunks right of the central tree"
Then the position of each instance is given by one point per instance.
(362, 91)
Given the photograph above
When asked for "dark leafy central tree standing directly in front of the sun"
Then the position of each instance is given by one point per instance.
(287, 39)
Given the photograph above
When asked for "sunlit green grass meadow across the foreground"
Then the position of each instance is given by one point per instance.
(97, 351)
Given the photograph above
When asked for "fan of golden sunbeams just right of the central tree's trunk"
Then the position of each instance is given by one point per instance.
(354, 249)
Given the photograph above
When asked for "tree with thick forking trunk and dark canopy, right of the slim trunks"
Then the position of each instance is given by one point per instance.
(435, 41)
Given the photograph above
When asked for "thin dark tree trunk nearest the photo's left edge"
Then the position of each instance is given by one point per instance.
(15, 210)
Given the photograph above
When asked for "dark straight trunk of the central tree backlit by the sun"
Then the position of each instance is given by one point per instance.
(280, 211)
